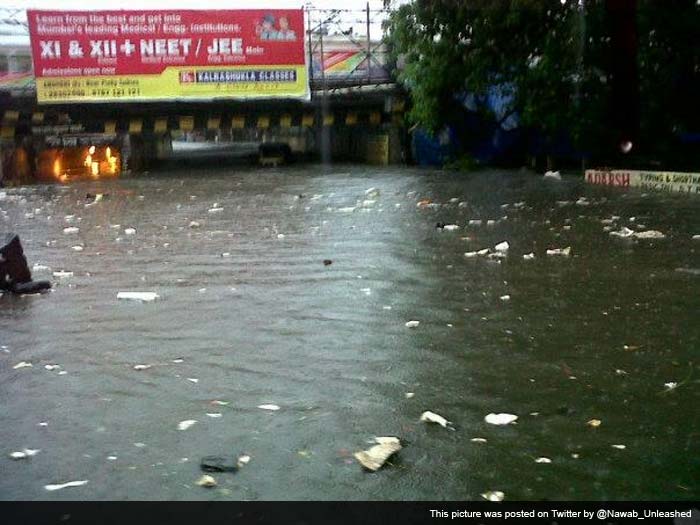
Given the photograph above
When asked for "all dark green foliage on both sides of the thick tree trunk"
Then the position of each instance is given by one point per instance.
(553, 55)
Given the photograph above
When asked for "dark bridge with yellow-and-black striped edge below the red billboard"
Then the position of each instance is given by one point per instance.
(355, 114)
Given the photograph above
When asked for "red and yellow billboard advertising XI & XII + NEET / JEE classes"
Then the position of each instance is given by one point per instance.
(163, 55)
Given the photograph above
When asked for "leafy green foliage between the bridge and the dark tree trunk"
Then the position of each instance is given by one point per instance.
(547, 53)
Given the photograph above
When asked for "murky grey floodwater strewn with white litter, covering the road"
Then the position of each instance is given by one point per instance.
(609, 333)
